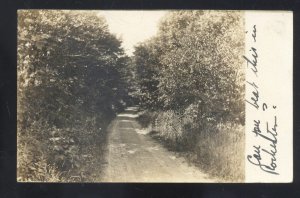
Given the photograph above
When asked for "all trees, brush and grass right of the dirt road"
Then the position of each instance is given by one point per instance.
(191, 76)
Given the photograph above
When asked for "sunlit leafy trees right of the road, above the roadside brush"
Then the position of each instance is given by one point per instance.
(194, 60)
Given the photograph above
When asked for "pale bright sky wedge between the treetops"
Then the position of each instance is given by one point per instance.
(133, 26)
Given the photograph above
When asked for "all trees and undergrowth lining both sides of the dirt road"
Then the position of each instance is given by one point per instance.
(73, 77)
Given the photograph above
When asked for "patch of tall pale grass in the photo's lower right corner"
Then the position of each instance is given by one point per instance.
(220, 151)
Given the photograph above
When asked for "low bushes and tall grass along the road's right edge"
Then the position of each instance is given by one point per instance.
(218, 149)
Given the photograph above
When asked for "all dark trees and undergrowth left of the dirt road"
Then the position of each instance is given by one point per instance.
(71, 81)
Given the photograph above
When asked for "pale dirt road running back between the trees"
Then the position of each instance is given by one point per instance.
(133, 156)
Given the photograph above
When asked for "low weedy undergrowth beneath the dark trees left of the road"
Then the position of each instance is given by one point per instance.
(67, 154)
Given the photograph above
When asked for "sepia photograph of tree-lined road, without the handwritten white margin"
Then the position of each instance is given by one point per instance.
(131, 96)
